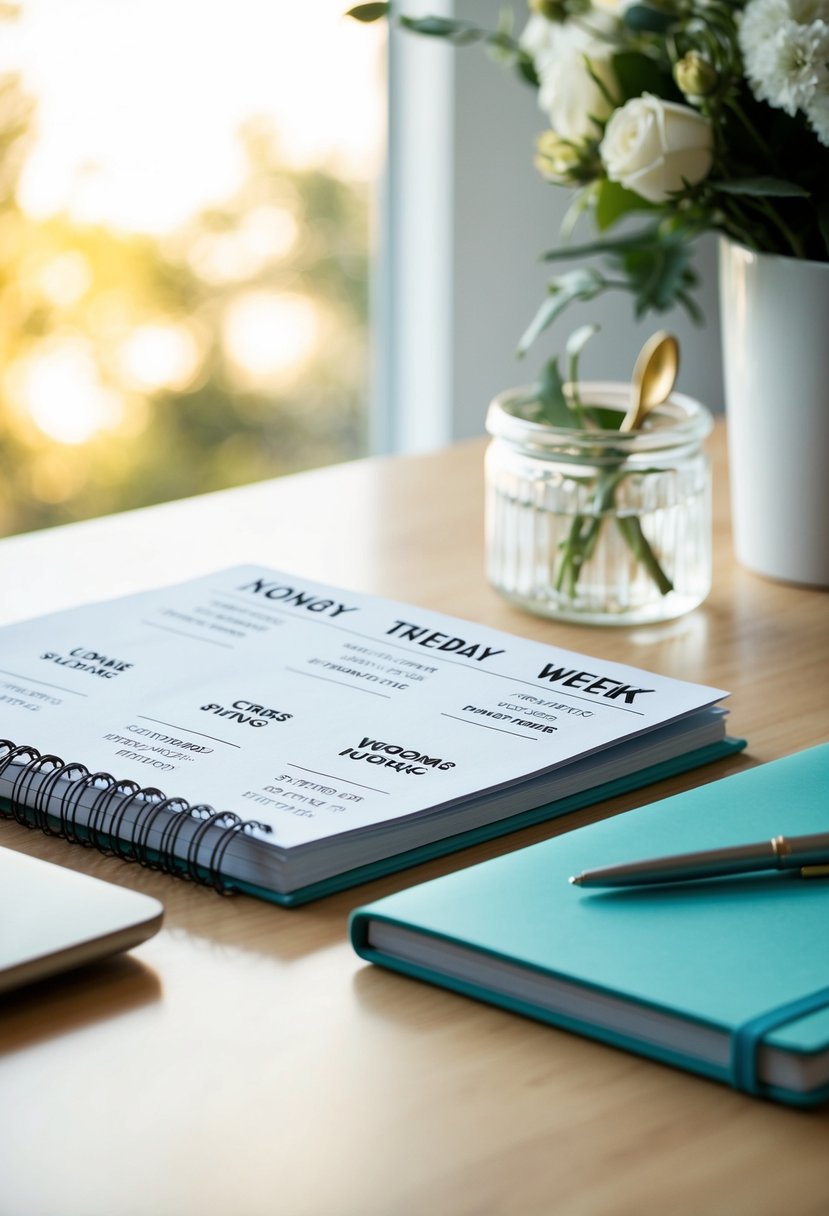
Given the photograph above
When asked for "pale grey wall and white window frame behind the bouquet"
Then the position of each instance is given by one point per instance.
(470, 218)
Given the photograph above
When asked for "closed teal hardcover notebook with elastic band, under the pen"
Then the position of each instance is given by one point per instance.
(729, 977)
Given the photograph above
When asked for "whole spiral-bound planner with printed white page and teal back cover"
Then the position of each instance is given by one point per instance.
(263, 733)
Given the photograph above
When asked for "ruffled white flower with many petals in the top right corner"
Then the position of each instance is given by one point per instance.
(786, 47)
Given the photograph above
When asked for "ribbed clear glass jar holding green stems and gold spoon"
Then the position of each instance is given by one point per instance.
(600, 527)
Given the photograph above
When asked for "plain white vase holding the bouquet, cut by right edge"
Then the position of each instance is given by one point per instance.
(775, 323)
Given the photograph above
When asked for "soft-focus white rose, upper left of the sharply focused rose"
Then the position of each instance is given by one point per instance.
(569, 94)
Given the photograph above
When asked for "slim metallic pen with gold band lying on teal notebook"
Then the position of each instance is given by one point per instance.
(810, 854)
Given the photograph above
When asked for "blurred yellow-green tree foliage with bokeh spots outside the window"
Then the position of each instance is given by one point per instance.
(136, 370)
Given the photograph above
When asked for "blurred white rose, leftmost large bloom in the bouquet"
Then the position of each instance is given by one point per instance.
(576, 72)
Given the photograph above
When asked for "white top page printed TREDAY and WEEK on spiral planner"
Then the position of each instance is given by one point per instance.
(308, 708)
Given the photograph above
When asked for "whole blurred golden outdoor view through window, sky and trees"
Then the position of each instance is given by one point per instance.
(185, 238)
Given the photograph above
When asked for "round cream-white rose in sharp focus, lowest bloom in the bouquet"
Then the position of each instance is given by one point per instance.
(655, 148)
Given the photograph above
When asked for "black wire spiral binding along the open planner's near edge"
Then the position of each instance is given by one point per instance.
(47, 795)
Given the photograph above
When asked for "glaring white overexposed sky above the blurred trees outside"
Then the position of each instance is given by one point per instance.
(138, 125)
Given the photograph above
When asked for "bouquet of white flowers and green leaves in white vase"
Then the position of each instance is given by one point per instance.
(689, 116)
